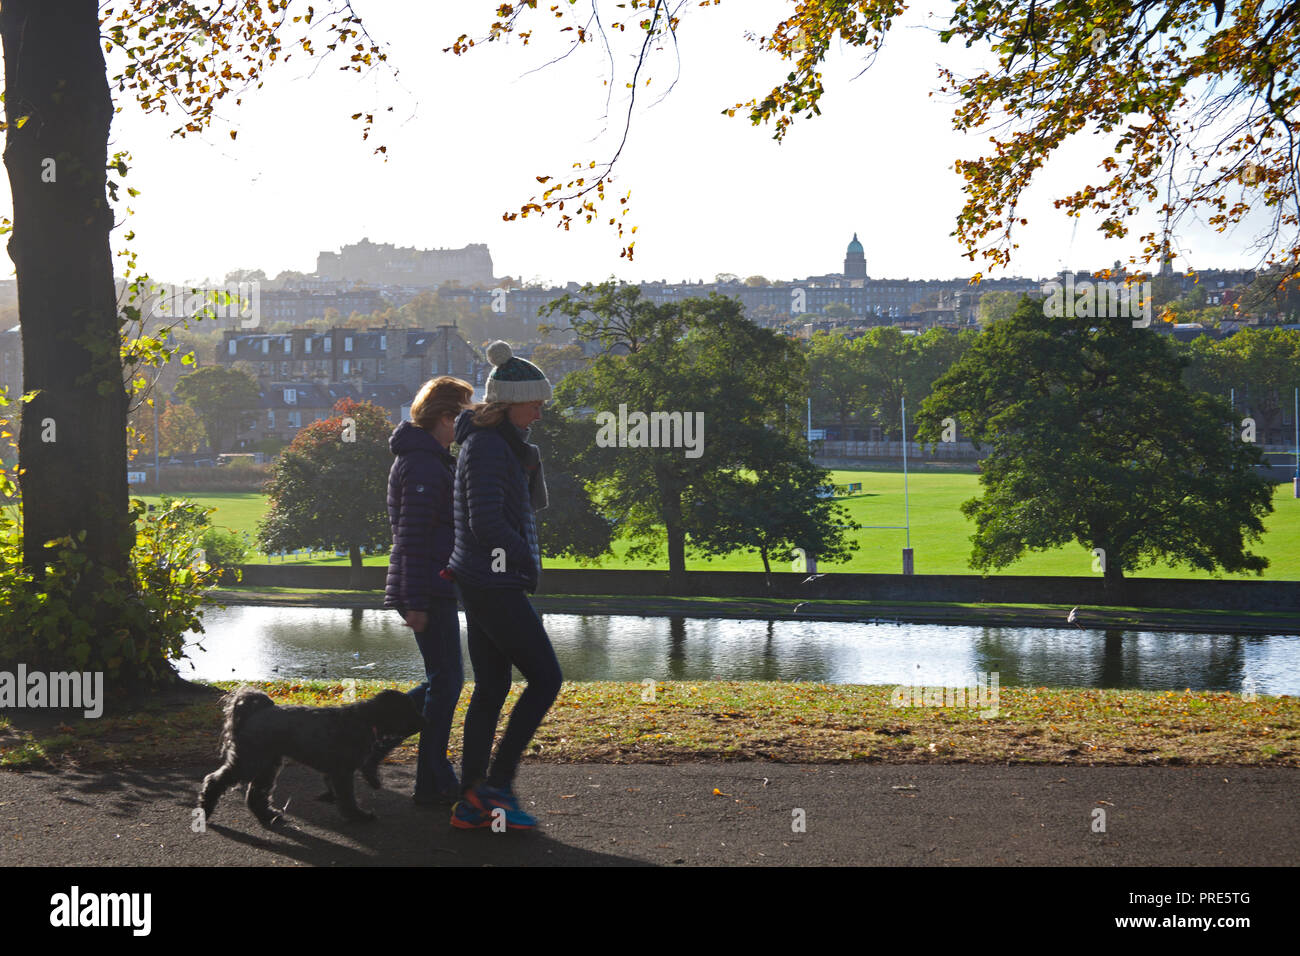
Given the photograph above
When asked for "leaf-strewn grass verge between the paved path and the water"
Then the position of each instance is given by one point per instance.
(612, 723)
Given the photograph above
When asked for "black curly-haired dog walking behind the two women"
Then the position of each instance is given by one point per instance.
(258, 736)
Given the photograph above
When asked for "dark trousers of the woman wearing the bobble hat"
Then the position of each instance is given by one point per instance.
(505, 630)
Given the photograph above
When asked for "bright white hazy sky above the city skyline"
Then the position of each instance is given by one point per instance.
(709, 193)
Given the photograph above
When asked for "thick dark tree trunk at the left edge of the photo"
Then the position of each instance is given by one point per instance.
(73, 448)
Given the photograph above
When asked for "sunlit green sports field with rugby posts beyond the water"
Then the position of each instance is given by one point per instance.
(941, 534)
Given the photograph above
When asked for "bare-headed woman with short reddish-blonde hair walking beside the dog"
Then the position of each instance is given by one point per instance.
(421, 513)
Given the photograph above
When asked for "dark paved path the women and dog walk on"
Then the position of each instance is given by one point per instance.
(651, 815)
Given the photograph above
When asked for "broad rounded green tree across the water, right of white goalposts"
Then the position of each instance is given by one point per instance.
(1098, 440)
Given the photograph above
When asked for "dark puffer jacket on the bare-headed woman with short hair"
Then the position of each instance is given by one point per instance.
(421, 514)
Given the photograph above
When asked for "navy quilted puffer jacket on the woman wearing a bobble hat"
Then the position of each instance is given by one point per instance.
(499, 485)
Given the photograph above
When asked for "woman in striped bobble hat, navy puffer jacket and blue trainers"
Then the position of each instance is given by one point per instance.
(495, 563)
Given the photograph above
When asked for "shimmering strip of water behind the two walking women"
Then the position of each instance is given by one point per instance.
(267, 643)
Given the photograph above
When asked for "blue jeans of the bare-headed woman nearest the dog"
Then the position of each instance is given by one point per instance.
(437, 698)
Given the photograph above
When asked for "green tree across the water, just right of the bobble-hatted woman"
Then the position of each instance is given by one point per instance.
(692, 358)
